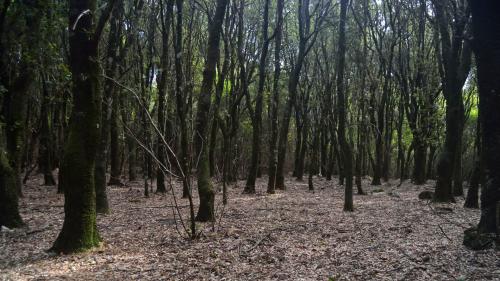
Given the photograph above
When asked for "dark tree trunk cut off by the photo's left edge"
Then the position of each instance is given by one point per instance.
(18, 68)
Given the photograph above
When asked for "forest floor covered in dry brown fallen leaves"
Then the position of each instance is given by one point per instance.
(292, 235)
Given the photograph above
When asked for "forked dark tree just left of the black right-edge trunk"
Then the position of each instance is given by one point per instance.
(455, 63)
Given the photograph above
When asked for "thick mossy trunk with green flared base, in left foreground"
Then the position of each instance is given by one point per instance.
(79, 231)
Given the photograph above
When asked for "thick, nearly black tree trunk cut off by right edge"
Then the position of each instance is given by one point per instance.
(486, 29)
